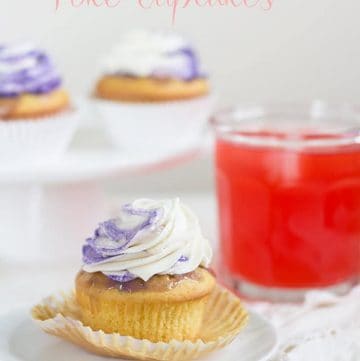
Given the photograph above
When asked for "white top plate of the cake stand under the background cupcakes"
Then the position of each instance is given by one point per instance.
(79, 165)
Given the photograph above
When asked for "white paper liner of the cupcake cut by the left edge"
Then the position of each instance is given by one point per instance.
(37, 140)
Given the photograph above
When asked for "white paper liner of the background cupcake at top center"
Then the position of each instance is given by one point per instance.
(137, 126)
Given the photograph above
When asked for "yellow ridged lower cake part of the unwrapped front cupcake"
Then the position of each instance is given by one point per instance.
(143, 320)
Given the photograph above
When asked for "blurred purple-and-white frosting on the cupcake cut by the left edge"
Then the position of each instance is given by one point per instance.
(25, 69)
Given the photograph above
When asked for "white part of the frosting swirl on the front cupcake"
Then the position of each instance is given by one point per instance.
(171, 243)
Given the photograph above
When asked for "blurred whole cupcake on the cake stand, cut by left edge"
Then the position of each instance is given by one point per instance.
(36, 117)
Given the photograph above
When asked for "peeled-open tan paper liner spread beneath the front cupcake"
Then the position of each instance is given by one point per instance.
(225, 317)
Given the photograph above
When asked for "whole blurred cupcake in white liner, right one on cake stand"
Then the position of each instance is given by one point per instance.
(153, 89)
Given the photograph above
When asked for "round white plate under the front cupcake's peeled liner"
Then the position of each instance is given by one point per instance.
(22, 340)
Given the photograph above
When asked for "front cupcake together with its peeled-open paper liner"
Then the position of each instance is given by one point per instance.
(145, 291)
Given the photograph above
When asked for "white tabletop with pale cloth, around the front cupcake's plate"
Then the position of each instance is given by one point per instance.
(325, 327)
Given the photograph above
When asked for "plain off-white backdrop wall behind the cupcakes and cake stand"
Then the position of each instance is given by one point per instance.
(299, 50)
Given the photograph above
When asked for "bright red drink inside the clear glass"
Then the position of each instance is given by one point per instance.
(289, 218)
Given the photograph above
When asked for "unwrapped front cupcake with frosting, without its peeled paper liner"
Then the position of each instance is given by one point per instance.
(145, 273)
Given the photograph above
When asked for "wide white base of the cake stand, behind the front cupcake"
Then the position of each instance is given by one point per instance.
(48, 222)
